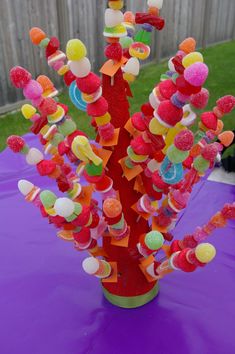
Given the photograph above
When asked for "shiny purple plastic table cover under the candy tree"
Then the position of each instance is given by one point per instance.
(49, 305)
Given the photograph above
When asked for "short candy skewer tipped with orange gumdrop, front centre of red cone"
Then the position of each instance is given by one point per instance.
(114, 216)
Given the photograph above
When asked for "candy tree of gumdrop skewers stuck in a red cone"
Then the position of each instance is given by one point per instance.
(123, 193)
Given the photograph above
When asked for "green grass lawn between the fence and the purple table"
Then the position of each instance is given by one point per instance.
(221, 81)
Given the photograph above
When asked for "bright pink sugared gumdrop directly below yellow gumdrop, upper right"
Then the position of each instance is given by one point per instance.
(196, 74)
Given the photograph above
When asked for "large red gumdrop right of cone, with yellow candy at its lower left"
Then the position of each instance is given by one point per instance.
(169, 113)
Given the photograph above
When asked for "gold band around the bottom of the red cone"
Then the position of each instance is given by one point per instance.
(130, 302)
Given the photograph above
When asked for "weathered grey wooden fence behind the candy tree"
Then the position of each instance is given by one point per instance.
(209, 21)
